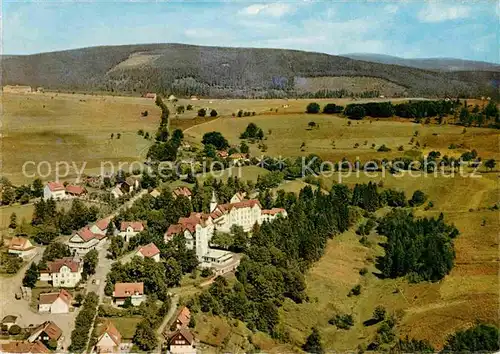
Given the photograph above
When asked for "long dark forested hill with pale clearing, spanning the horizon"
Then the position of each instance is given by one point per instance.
(217, 71)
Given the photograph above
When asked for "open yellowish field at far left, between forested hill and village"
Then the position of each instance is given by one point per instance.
(75, 128)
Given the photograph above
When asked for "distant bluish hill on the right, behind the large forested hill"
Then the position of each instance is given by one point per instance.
(438, 64)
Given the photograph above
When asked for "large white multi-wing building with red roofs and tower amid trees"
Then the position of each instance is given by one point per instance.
(198, 228)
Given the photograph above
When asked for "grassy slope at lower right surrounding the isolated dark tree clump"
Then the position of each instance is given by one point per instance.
(426, 310)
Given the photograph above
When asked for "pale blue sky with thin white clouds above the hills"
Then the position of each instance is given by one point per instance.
(410, 29)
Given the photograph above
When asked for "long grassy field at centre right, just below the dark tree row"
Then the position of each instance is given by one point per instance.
(286, 133)
